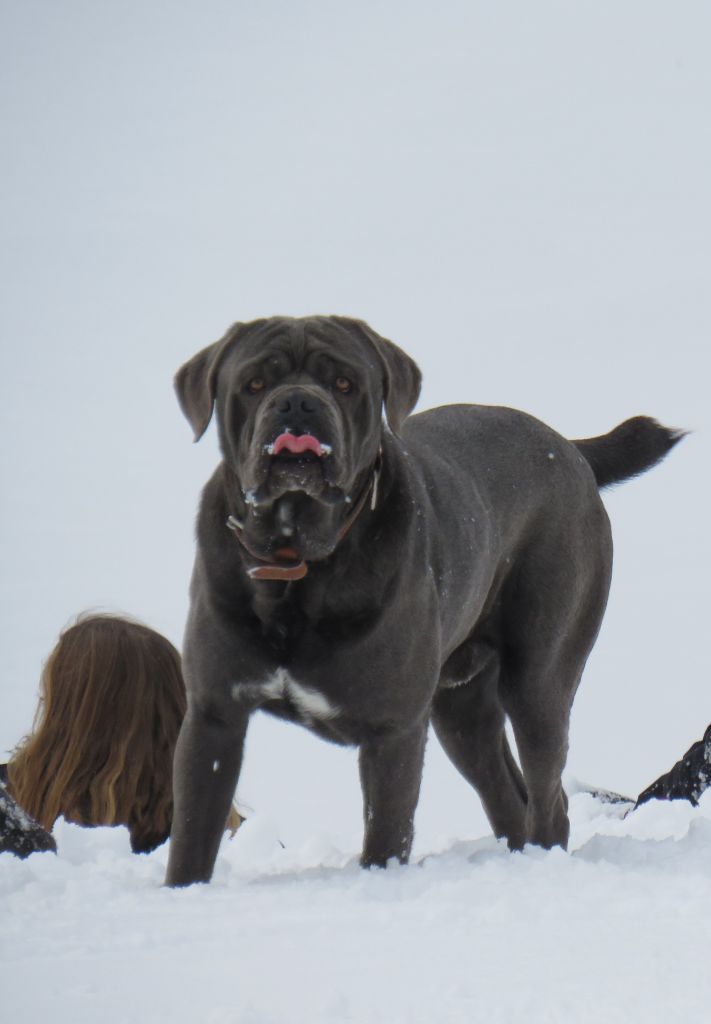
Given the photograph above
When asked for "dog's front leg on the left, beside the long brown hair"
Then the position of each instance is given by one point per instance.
(208, 757)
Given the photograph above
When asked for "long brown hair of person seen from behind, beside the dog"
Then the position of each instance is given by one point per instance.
(101, 753)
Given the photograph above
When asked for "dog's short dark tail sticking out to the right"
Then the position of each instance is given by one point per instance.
(635, 447)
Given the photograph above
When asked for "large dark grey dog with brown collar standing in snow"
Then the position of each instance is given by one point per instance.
(365, 578)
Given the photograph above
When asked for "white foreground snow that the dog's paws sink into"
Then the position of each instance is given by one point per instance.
(614, 931)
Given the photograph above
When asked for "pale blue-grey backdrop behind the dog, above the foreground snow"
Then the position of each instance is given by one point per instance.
(518, 194)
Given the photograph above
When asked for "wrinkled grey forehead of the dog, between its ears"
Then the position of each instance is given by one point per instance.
(300, 338)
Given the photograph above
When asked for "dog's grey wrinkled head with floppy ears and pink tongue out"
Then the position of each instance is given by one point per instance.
(300, 414)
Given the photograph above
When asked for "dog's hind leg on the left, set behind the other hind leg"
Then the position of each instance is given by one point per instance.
(470, 723)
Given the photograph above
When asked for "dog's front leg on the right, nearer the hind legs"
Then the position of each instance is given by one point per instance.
(391, 776)
